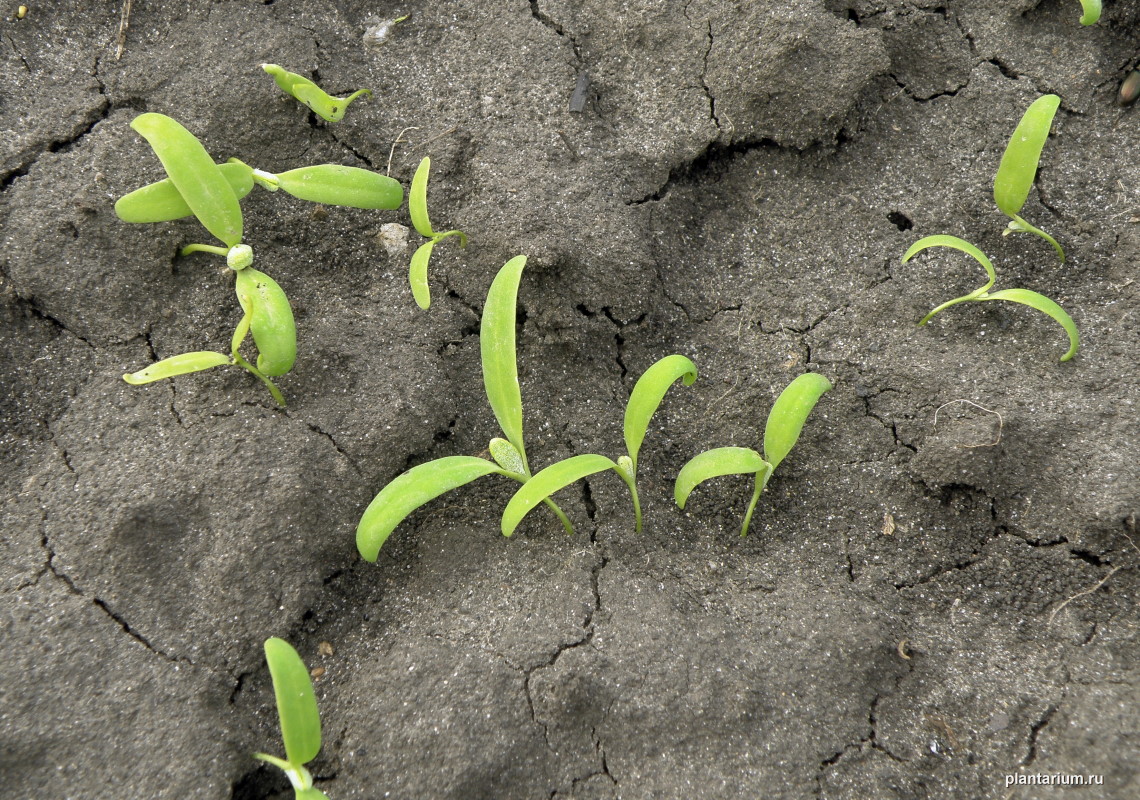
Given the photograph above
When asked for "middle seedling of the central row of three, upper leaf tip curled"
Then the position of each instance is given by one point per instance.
(647, 397)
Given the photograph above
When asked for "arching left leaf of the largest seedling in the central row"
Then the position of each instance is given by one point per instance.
(409, 492)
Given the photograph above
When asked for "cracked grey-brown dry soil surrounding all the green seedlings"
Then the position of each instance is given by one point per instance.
(921, 609)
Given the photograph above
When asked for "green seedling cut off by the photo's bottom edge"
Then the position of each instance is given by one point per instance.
(300, 721)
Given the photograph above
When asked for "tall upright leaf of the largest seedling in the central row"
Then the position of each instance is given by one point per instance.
(496, 345)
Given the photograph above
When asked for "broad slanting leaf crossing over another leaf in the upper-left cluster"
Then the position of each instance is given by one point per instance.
(194, 175)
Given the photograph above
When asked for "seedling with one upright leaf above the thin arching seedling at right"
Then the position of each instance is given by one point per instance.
(1020, 167)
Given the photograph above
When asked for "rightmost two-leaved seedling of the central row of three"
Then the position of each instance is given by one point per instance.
(781, 432)
